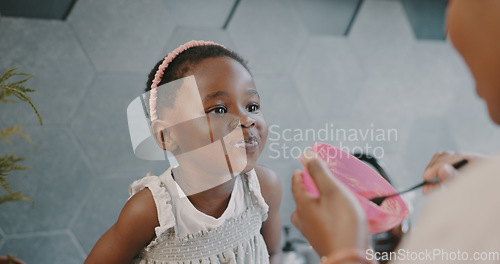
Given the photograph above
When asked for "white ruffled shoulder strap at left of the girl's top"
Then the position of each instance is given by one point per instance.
(162, 200)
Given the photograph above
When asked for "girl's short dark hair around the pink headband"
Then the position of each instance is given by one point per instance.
(185, 61)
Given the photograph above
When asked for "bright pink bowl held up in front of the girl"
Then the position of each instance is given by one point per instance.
(365, 183)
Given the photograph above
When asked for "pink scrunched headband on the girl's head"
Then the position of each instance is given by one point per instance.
(153, 96)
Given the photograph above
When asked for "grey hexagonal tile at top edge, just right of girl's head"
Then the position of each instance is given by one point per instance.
(268, 34)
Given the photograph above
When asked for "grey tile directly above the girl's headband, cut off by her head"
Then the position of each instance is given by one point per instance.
(182, 35)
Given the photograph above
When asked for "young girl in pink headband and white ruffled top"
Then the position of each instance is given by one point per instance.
(172, 218)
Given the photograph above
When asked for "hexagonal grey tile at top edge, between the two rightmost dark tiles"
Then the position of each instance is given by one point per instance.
(381, 36)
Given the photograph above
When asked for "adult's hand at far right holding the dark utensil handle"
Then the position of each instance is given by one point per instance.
(441, 166)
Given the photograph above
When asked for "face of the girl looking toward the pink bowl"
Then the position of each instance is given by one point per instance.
(229, 102)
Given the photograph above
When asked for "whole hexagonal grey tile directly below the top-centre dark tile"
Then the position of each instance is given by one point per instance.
(328, 77)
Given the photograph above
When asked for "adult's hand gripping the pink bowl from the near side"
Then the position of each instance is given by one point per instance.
(334, 220)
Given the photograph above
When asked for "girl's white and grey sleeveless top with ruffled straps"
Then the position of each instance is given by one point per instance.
(180, 221)
